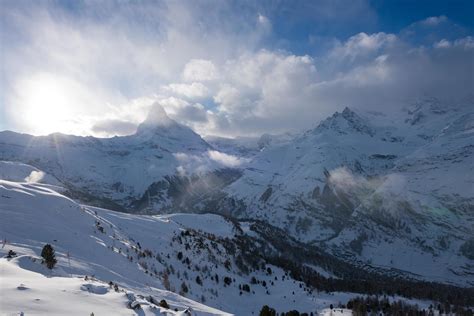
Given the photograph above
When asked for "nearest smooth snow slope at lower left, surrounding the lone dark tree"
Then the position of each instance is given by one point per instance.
(88, 259)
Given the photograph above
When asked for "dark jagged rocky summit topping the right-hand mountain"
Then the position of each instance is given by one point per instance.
(346, 122)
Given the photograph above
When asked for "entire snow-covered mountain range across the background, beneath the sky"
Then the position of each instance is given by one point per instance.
(387, 194)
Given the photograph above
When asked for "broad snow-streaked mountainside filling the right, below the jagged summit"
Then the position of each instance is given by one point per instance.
(382, 186)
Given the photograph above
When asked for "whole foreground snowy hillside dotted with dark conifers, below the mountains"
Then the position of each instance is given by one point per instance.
(177, 264)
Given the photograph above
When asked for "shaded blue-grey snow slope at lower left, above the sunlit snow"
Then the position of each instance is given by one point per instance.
(34, 215)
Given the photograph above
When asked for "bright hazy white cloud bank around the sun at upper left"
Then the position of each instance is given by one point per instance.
(110, 59)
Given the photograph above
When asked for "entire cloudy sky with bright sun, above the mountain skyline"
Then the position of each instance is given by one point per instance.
(225, 67)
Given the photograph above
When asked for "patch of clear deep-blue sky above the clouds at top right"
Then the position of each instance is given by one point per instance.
(301, 19)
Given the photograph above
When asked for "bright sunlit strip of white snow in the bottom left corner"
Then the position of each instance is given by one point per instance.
(36, 293)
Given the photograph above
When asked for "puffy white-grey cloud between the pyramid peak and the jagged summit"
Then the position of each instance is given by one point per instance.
(263, 84)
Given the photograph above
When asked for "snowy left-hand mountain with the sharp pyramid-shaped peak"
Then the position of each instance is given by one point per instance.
(118, 169)
